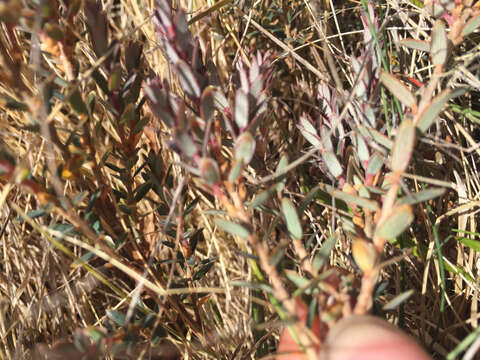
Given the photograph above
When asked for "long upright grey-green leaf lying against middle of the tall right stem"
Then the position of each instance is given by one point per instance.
(403, 146)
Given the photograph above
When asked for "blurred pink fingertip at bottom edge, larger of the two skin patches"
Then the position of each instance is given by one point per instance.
(369, 338)
